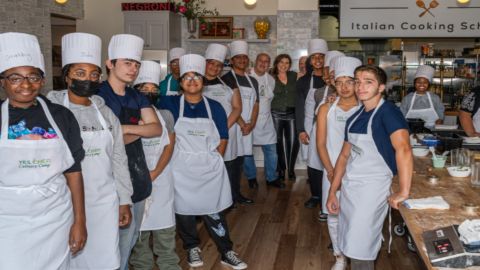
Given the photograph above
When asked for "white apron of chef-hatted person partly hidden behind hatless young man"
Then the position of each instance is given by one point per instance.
(336, 120)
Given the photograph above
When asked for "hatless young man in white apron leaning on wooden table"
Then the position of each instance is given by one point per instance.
(365, 187)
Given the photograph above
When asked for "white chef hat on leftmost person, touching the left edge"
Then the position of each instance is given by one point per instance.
(18, 50)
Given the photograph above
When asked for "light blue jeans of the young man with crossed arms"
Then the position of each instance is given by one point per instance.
(129, 235)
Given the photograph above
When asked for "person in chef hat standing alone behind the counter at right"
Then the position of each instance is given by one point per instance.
(422, 103)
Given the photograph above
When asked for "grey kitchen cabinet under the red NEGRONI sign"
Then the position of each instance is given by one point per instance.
(161, 30)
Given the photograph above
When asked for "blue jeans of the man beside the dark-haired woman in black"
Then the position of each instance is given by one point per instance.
(270, 163)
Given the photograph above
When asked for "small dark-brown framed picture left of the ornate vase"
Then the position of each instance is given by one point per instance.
(216, 27)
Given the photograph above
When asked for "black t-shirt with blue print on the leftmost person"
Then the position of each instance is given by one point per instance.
(33, 122)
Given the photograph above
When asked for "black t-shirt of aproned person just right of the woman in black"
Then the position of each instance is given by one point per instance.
(303, 86)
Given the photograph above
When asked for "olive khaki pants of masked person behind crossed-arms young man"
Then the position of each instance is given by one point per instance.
(163, 247)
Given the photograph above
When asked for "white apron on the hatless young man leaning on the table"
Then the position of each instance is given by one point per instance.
(363, 197)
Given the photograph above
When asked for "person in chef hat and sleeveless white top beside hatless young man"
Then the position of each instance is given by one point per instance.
(330, 132)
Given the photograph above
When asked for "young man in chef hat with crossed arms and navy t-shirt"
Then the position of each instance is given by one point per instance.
(138, 120)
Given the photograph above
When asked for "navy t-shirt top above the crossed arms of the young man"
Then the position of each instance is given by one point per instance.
(132, 99)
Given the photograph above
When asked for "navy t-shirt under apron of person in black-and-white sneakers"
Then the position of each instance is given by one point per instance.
(198, 110)
